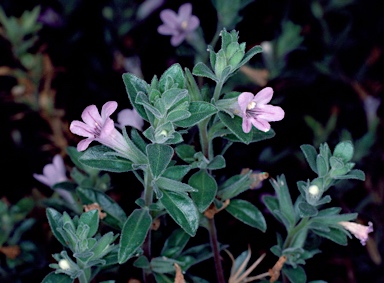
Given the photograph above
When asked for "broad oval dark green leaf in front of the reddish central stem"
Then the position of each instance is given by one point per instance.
(206, 188)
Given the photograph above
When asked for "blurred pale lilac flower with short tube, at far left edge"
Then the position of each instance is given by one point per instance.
(54, 173)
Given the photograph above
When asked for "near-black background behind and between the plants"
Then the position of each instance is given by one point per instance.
(83, 47)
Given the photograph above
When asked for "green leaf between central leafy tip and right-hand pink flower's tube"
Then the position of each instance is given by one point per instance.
(199, 110)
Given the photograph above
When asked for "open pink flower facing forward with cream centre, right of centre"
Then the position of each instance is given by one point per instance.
(255, 111)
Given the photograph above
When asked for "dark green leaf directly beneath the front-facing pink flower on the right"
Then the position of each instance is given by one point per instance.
(234, 125)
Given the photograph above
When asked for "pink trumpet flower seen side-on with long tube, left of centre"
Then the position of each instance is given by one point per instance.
(100, 128)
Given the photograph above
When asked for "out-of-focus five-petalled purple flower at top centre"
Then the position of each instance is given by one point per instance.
(178, 25)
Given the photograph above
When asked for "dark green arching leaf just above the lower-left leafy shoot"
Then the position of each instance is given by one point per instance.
(115, 214)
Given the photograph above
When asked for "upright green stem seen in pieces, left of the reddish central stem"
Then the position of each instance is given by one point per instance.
(148, 197)
